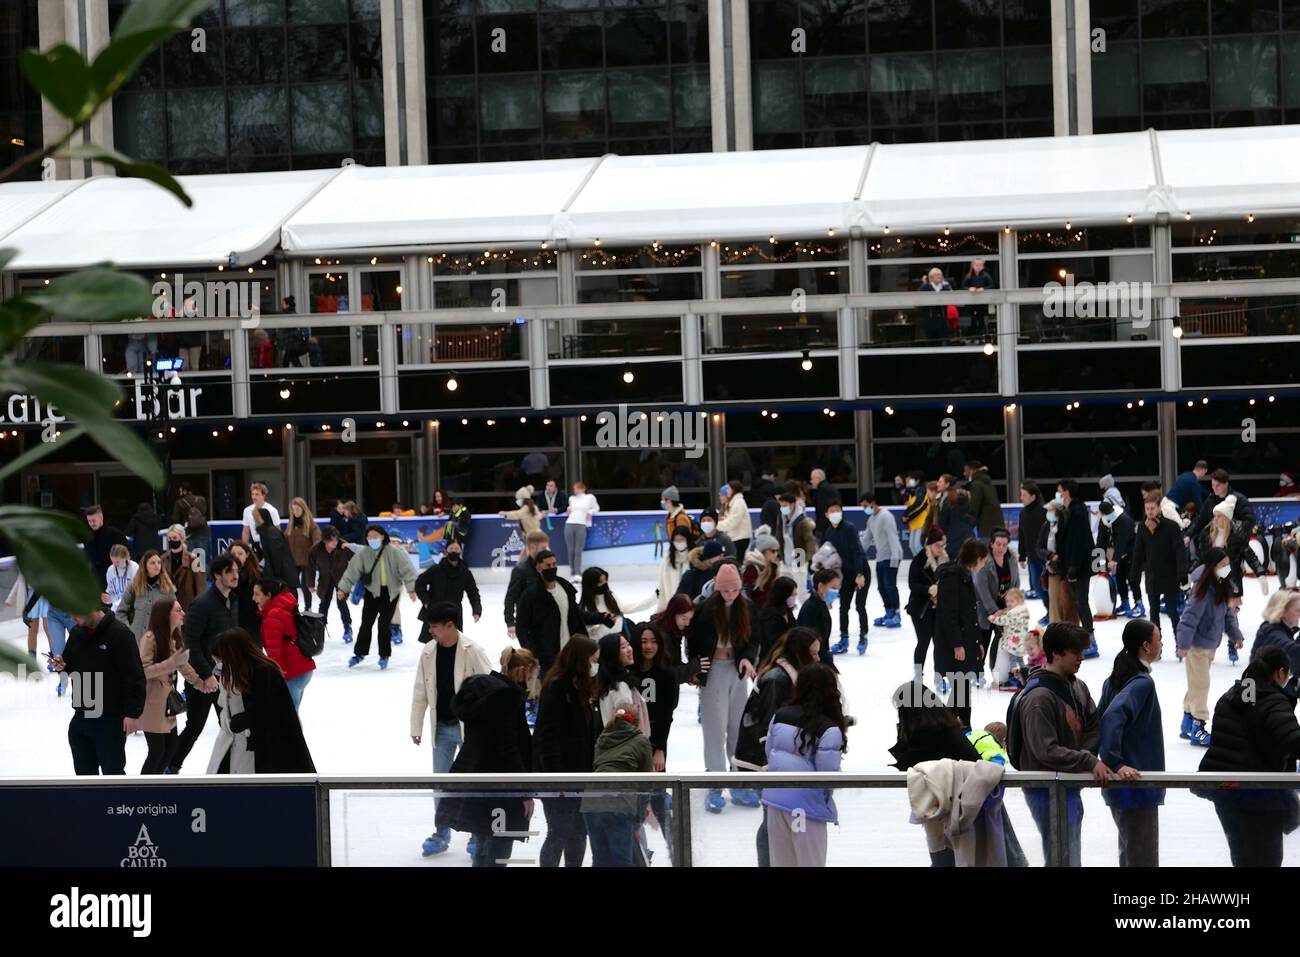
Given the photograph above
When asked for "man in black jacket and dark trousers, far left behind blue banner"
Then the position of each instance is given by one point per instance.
(103, 662)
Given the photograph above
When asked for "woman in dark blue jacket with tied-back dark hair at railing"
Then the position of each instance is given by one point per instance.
(1133, 742)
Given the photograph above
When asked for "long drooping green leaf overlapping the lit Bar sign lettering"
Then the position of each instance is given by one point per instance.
(88, 399)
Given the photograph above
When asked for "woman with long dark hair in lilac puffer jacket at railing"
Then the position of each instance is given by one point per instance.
(809, 735)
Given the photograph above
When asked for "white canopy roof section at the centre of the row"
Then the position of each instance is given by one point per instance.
(736, 196)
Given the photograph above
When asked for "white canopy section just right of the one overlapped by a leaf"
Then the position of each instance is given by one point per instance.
(391, 207)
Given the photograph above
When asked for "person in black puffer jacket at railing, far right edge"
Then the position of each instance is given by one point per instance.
(1256, 730)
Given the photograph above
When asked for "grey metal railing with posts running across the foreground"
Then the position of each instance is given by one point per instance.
(681, 786)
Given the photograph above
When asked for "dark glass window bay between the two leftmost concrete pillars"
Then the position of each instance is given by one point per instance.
(274, 85)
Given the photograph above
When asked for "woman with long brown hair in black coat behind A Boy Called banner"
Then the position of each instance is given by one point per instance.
(261, 733)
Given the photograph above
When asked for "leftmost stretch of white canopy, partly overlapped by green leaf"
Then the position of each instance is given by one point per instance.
(135, 223)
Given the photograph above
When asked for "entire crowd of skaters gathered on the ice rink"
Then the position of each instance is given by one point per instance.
(742, 612)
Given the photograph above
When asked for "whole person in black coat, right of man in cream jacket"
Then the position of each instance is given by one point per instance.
(496, 742)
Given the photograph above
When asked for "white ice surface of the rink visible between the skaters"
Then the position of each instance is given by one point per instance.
(358, 724)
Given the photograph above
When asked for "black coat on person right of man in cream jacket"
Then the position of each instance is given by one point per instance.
(497, 742)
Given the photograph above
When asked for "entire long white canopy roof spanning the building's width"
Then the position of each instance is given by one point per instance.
(917, 187)
